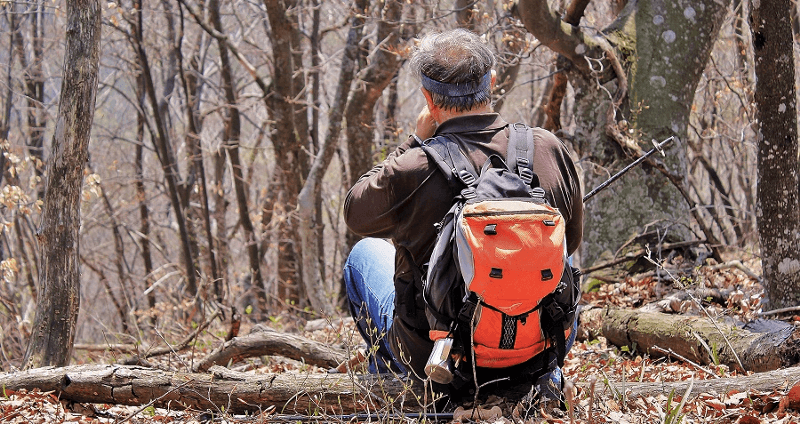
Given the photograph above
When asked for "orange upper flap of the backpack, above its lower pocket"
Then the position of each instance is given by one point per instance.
(510, 252)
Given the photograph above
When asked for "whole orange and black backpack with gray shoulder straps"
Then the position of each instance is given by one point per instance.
(498, 279)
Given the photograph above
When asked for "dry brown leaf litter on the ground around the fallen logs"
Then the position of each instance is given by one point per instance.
(591, 364)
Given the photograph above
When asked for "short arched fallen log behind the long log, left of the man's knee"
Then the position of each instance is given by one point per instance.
(264, 341)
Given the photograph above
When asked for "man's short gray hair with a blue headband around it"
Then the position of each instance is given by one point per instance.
(455, 67)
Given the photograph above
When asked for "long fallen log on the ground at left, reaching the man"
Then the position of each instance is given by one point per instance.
(220, 390)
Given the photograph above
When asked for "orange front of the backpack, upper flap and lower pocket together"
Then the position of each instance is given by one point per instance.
(511, 255)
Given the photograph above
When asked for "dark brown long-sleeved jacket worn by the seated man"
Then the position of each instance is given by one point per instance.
(403, 197)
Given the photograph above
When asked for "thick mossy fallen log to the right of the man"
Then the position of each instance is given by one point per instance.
(759, 346)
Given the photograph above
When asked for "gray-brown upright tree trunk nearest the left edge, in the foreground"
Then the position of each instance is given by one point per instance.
(59, 284)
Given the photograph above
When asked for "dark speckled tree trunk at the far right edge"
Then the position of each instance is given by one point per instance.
(778, 206)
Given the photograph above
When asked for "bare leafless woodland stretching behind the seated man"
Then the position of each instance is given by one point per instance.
(226, 135)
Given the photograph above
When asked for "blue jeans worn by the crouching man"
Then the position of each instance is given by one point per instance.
(369, 280)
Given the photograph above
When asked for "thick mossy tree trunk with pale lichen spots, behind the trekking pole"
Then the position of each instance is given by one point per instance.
(658, 51)
